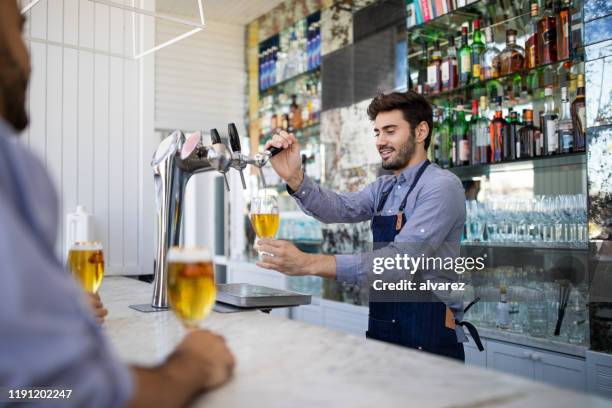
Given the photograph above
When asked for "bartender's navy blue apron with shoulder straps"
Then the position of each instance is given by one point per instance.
(419, 325)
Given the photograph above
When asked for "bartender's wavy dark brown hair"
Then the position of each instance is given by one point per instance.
(414, 107)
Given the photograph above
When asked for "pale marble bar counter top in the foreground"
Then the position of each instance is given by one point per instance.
(285, 363)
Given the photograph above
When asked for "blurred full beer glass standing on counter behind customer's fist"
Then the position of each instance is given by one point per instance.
(191, 284)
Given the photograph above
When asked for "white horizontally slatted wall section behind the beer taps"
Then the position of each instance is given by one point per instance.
(200, 83)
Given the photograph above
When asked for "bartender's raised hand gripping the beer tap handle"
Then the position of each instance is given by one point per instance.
(288, 163)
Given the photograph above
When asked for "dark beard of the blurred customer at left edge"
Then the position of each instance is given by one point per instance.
(13, 88)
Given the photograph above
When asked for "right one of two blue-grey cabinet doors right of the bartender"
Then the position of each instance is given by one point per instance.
(558, 369)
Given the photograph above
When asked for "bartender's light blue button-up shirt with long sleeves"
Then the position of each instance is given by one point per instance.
(435, 213)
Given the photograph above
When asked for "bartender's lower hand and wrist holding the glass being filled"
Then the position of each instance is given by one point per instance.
(288, 259)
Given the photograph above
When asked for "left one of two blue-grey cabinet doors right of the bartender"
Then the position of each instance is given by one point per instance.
(510, 359)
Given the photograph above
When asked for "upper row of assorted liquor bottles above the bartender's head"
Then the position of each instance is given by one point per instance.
(474, 62)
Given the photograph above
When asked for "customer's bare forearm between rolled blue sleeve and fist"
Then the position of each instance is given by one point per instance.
(172, 384)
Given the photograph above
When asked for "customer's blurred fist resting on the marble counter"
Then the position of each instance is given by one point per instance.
(209, 357)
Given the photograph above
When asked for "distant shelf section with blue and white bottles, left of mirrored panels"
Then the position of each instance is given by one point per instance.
(291, 53)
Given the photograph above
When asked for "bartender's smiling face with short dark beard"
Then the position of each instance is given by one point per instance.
(394, 139)
